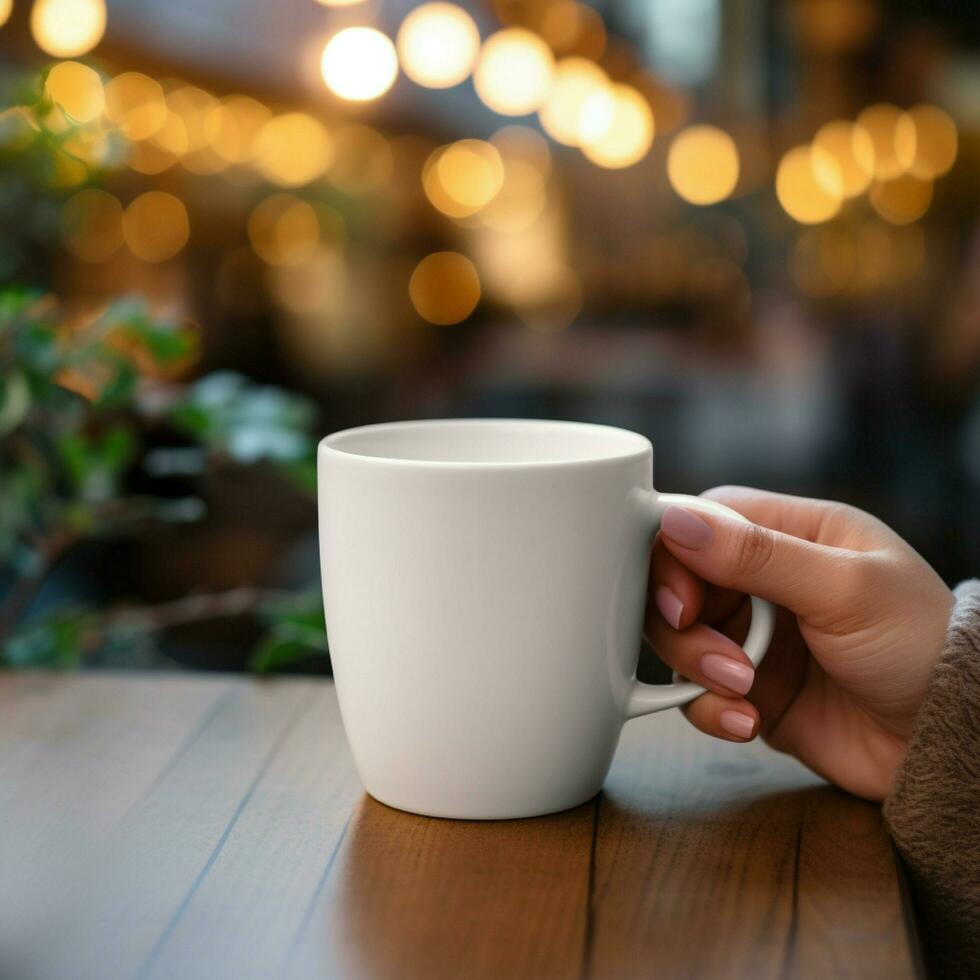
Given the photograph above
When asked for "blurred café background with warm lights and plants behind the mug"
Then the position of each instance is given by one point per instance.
(747, 229)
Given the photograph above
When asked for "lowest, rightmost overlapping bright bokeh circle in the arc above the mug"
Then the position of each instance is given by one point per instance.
(616, 127)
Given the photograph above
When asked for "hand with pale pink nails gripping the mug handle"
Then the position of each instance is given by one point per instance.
(862, 622)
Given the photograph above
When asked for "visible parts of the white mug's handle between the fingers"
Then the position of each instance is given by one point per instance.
(643, 698)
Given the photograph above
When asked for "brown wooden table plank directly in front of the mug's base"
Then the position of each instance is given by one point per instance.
(420, 897)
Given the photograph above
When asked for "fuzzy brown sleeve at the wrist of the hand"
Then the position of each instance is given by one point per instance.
(934, 810)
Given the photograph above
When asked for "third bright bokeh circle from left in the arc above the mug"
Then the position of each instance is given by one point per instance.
(514, 73)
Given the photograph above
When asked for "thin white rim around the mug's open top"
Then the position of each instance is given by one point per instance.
(640, 446)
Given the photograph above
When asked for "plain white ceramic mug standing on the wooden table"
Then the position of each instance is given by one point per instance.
(484, 583)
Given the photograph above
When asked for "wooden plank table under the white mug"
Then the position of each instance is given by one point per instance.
(181, 826)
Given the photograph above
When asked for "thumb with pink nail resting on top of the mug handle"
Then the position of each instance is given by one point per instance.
(734, 554)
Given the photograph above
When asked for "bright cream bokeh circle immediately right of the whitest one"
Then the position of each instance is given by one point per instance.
(438, 44)
